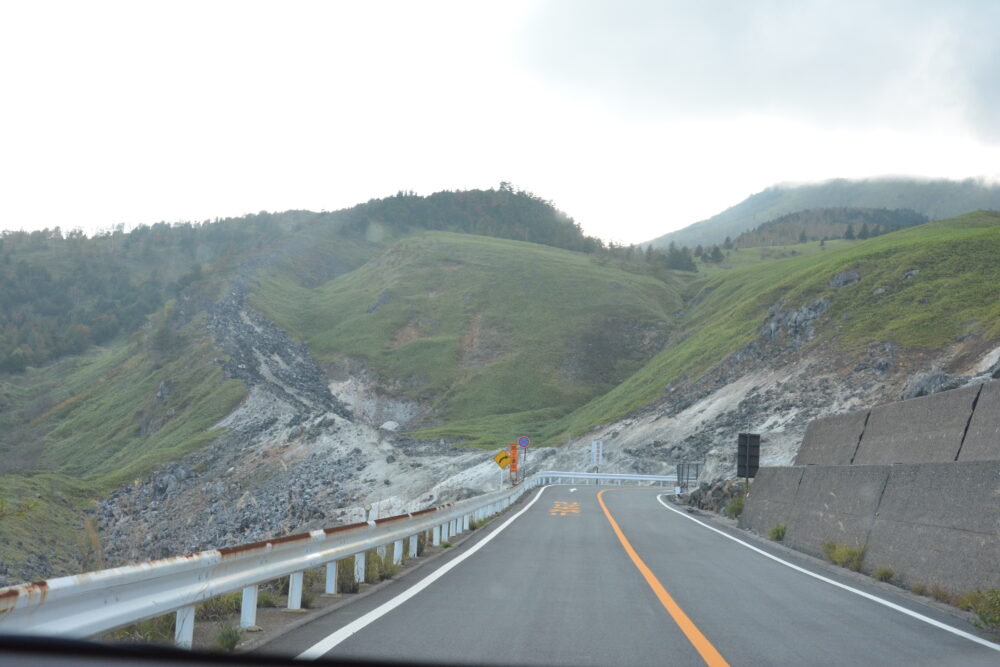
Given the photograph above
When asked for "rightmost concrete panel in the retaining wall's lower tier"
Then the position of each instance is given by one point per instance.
(939, 523)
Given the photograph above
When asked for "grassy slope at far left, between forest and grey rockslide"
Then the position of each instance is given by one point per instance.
(84, 440)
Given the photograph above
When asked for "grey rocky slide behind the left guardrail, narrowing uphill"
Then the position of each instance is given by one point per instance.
(293, 458)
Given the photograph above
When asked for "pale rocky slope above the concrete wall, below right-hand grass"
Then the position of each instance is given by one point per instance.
(773, 388)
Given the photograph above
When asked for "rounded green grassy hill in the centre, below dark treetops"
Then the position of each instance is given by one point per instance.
(530, 305)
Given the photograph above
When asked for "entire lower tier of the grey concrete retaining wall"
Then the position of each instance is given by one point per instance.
(932, 523)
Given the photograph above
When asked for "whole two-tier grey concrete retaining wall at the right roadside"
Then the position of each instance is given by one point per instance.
(921, 492)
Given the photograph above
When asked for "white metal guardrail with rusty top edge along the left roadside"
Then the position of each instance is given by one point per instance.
(92, 603)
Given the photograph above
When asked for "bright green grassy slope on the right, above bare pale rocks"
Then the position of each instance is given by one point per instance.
(956, 292)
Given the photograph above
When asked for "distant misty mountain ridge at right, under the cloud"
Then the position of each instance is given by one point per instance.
(935, 199)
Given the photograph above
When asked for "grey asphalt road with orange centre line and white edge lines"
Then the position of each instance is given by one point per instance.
(557, 586)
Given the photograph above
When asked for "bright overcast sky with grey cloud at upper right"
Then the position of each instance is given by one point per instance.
(635, 118)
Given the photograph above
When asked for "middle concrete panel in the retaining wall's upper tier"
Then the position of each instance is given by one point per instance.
(922, 430)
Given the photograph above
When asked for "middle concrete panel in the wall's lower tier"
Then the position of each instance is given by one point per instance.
(835, 504)
